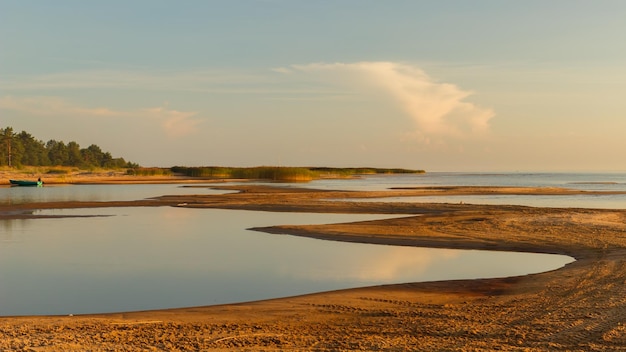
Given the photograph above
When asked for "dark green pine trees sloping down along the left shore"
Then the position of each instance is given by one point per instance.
(22, 148)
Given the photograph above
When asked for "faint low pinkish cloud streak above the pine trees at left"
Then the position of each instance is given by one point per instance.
(173, 123)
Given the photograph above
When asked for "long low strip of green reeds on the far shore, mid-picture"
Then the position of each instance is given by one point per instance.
(278, 173)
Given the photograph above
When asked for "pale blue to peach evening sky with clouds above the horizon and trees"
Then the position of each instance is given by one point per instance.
(484, 85)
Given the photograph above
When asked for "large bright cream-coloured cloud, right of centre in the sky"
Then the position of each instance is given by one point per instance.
(437, 108)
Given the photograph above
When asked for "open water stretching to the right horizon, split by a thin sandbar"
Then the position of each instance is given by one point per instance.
(584, 181)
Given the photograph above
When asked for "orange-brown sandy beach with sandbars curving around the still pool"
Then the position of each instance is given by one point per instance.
(580, 307)
